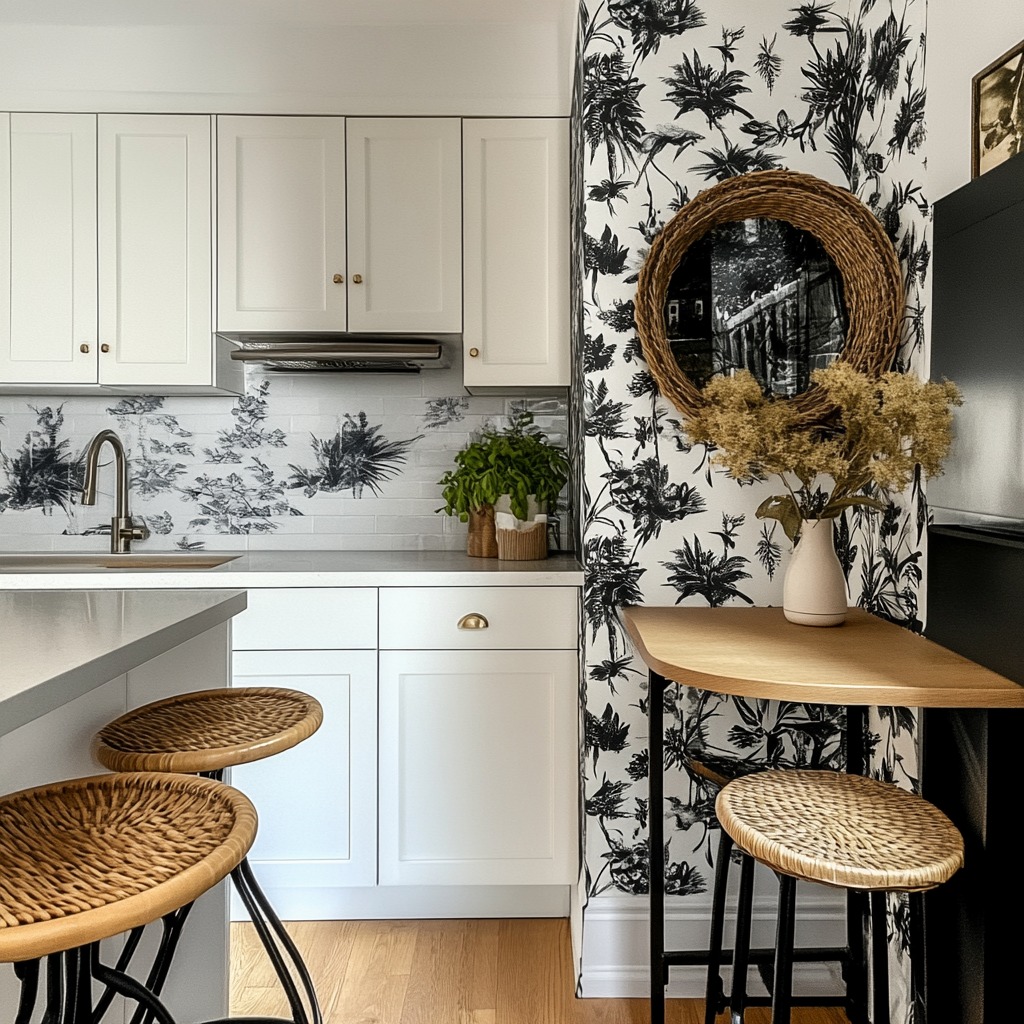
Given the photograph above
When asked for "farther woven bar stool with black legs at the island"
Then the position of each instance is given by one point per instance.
(206, 733)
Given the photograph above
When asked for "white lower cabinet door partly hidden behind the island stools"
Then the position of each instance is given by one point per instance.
(317, 802)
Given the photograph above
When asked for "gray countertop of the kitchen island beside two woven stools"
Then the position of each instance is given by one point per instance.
(58, 645)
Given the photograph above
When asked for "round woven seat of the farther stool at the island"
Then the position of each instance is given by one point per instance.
(208, 731)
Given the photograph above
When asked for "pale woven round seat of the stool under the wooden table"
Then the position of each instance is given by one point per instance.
(841, 830)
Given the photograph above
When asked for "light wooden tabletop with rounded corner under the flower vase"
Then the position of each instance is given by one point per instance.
(756, 653)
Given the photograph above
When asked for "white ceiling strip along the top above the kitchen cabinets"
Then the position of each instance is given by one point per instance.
(134, 13)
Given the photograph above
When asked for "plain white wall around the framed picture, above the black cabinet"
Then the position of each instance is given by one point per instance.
(963, 38)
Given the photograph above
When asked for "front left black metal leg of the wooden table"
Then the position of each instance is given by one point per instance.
(656, 843)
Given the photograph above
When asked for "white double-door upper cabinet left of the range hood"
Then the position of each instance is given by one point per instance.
(108, 272)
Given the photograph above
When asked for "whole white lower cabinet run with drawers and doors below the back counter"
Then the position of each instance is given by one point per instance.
(444, 780)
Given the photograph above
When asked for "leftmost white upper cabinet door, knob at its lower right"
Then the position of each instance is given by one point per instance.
(49, 248)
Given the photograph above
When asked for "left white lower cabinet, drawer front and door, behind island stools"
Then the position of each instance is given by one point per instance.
(318, 801)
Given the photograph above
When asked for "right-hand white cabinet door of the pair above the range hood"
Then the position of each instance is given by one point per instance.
(405, 225)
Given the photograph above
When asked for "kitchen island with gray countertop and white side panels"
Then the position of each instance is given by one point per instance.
(73, 661)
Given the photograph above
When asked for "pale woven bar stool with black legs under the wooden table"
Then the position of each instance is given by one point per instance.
(845, 831)
